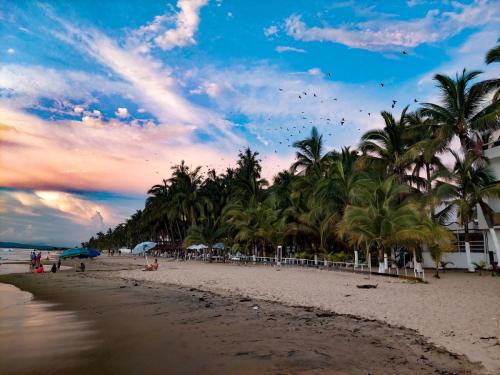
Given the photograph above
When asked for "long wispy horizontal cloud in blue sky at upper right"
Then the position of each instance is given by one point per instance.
(391, 34)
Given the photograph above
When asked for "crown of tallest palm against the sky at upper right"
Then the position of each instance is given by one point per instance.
(463, 112)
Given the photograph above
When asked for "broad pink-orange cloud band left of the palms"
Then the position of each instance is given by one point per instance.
(92, 154)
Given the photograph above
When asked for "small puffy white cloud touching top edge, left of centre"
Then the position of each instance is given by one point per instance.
(186, 23)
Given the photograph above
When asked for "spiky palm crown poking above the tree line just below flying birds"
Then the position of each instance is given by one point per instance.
(310, 158)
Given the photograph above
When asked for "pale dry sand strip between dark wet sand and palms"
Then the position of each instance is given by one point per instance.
(460, 312)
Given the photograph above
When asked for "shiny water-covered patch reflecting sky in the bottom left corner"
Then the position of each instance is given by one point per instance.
(35, 335)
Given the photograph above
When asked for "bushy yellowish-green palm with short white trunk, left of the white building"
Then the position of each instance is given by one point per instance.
(381, 219)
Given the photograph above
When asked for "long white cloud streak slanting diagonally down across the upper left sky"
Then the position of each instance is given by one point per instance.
(151, 82)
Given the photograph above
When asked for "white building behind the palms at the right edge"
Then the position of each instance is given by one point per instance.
(484, 241)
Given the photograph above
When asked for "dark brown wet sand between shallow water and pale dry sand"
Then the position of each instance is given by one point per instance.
(151, 328)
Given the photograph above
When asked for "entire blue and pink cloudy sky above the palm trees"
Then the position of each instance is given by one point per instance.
(98, 100)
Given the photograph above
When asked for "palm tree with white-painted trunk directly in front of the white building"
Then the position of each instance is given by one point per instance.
(471, 185)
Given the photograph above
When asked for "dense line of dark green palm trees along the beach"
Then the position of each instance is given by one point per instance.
(392, 193)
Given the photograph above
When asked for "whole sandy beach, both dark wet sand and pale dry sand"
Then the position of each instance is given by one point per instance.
(228, 319)
